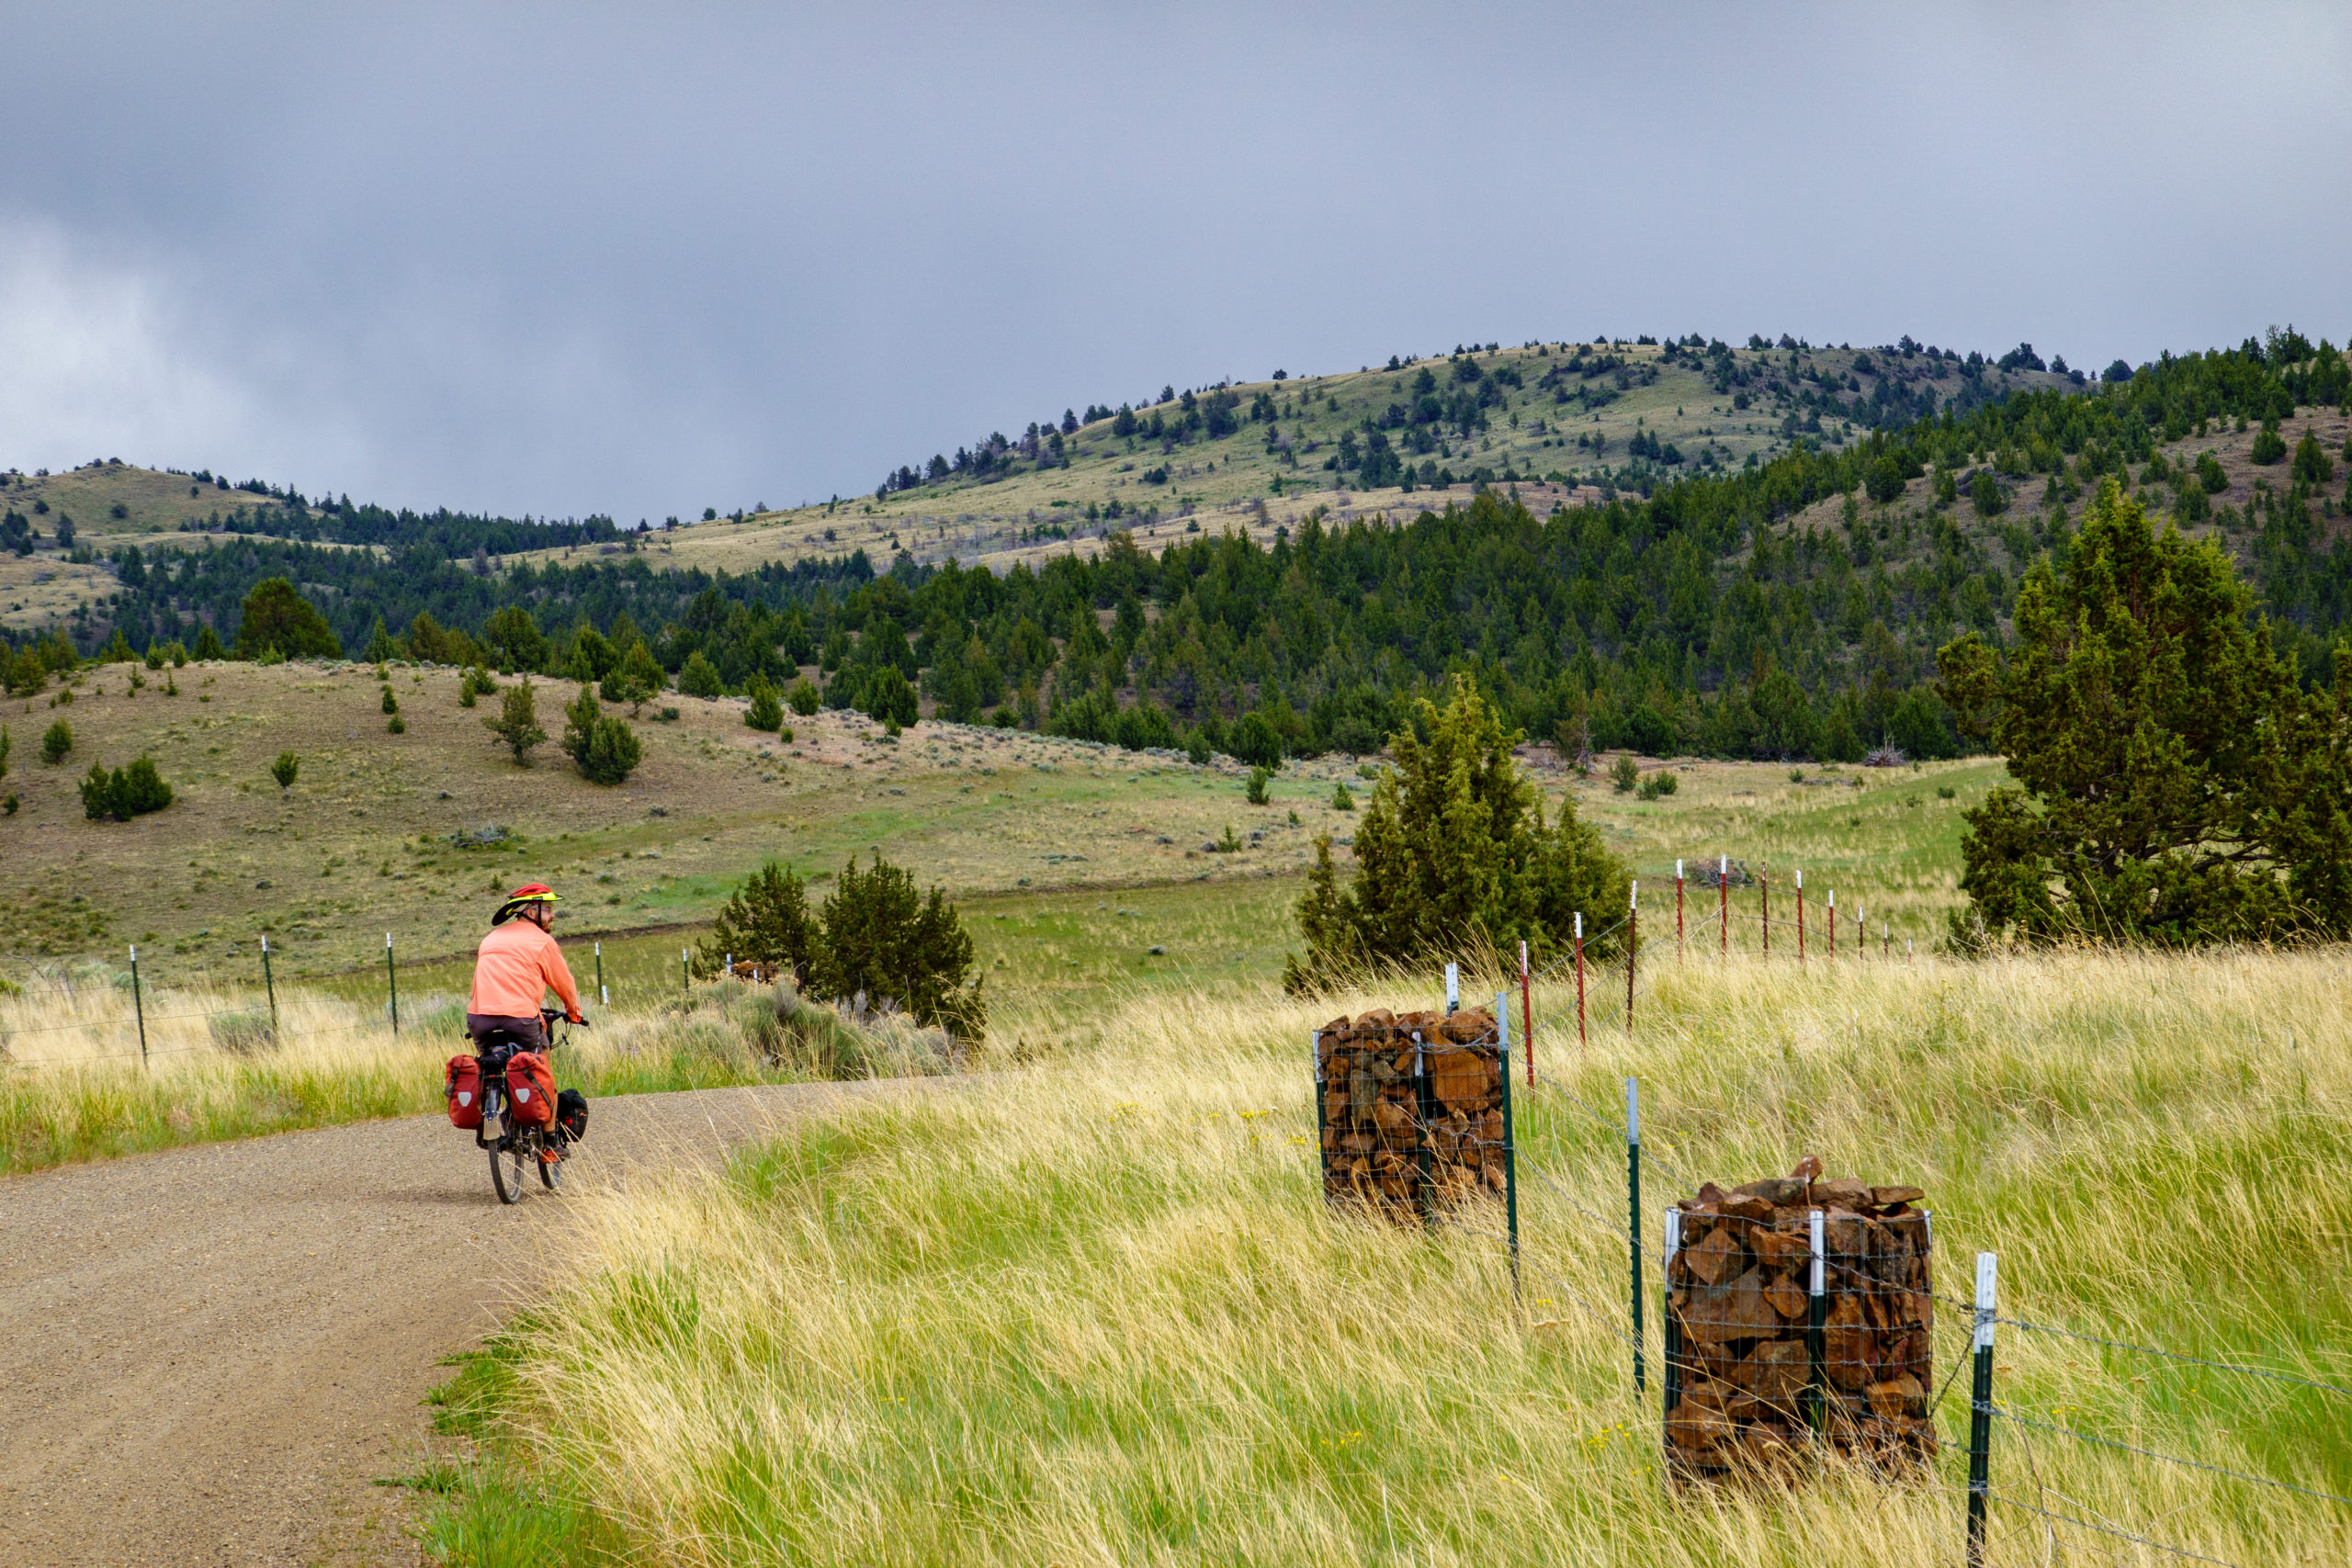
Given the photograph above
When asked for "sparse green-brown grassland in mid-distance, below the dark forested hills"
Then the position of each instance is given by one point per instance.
(370, 838)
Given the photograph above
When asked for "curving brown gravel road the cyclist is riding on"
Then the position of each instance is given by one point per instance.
(211, 1355)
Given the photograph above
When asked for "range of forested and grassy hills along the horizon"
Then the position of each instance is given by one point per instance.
(1676, 547)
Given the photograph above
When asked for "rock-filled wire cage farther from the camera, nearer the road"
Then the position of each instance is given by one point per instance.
(1415, 1111)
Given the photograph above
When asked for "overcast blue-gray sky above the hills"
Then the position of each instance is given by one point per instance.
(648, 260)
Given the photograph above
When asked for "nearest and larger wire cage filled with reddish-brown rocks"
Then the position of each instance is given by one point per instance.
(1798, 1327)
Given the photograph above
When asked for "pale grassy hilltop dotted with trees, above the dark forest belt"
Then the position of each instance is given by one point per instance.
(1563, 424)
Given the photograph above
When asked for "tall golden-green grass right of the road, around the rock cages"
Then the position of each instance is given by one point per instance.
(1100, 1315)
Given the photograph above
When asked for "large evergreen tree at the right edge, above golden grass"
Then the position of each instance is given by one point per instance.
(2174, 782)
